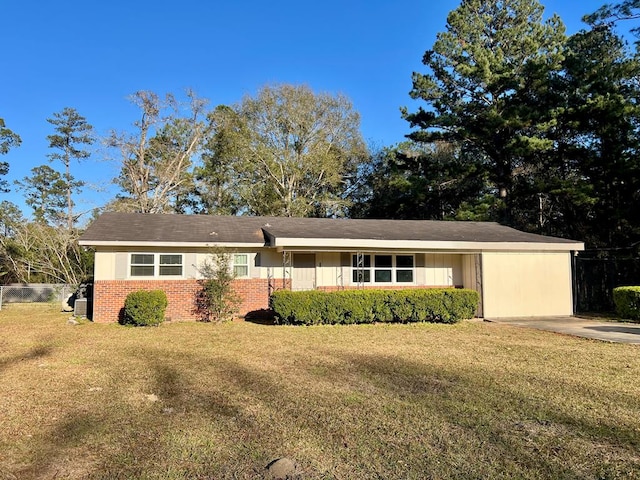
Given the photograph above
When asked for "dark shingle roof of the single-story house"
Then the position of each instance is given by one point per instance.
(169, 228)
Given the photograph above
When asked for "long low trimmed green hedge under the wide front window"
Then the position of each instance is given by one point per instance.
(446, 305)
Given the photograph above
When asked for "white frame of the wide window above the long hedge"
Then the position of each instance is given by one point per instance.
(374, 270)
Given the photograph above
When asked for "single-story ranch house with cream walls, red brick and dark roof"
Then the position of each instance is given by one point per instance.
(516, 273)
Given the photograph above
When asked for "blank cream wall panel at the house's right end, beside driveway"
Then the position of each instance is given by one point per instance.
(526, 284)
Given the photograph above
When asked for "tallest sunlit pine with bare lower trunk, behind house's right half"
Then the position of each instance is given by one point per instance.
(491, 52)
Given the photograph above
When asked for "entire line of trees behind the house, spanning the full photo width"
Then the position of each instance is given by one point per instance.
(518, 123)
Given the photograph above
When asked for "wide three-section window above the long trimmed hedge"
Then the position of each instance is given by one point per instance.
(386, 268)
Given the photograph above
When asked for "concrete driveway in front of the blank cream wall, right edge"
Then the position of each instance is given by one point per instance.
(580, 327)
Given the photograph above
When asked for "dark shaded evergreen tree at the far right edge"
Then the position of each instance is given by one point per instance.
(597, 142)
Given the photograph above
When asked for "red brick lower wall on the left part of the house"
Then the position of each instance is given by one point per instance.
(109, 296)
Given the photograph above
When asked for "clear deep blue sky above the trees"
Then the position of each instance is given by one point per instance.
(91, 55)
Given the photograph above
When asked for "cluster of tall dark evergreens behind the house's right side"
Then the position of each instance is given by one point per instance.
(523, 125)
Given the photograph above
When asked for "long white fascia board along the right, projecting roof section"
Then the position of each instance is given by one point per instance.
(420, 245)
